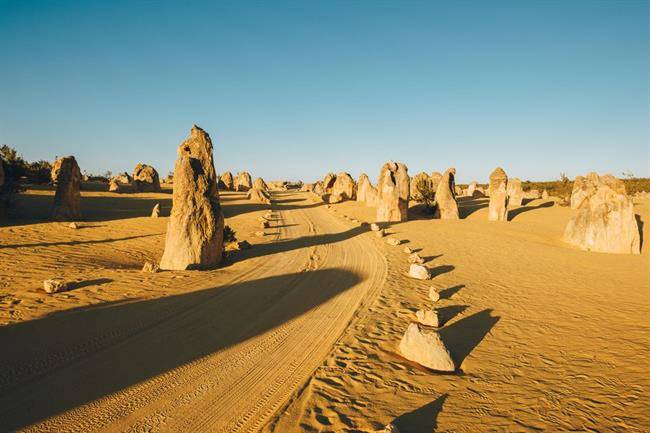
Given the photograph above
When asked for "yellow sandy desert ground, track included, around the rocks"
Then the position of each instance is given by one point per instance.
(300, 332)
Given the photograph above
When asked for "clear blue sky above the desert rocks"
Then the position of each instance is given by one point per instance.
(293, 89)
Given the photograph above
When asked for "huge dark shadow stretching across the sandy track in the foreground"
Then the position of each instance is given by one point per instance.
(72, 358)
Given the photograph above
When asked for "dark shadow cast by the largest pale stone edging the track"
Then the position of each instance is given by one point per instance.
(463, 336)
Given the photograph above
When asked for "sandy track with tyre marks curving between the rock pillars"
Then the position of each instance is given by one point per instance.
(223, 358)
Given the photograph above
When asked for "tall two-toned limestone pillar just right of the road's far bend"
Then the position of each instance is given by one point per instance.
(393, 193)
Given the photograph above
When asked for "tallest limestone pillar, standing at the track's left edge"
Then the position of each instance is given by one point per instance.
(195, 229)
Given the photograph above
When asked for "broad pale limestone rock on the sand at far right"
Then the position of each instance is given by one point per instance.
(605, 221)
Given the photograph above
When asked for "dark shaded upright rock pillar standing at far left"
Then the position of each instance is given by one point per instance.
(67, 199)
